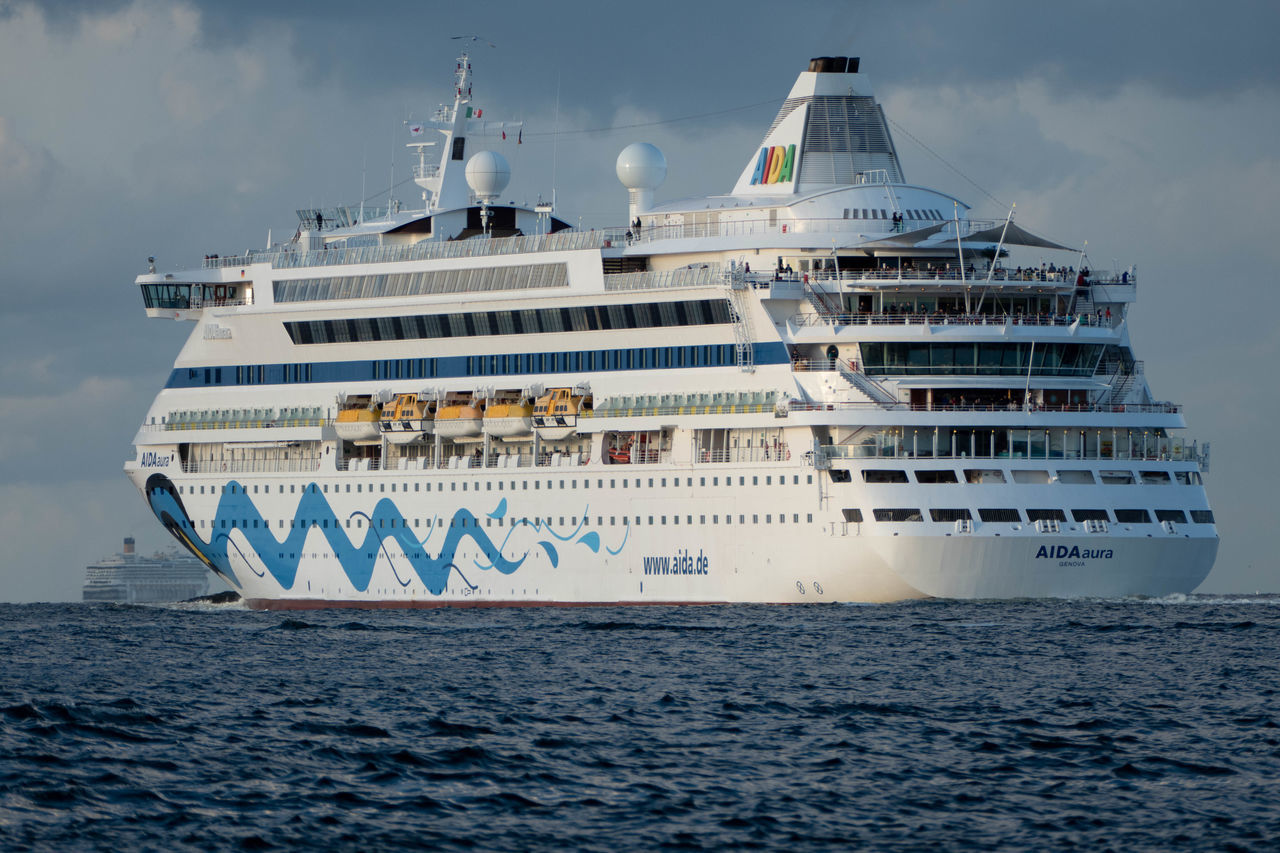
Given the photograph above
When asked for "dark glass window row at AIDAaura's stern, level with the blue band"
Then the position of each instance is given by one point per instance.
(982, 359)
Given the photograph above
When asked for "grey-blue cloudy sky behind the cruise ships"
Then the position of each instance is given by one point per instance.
(180, 129)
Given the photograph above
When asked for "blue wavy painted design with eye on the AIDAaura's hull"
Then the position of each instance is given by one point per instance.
(282, 558)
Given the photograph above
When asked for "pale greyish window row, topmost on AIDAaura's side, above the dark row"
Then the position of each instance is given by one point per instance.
(446, 281)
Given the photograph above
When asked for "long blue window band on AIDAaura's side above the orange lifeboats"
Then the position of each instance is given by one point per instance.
(715, 355)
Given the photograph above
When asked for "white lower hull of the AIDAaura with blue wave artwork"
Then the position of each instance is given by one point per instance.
(580, 544)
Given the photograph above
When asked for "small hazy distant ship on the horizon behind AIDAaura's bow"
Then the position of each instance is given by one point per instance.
(129, 578)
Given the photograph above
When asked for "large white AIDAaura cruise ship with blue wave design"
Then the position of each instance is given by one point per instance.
(828, 385)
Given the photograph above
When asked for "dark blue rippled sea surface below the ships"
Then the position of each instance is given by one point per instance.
(927, 726)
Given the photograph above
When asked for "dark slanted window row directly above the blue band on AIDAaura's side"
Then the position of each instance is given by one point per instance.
(584, 318)
